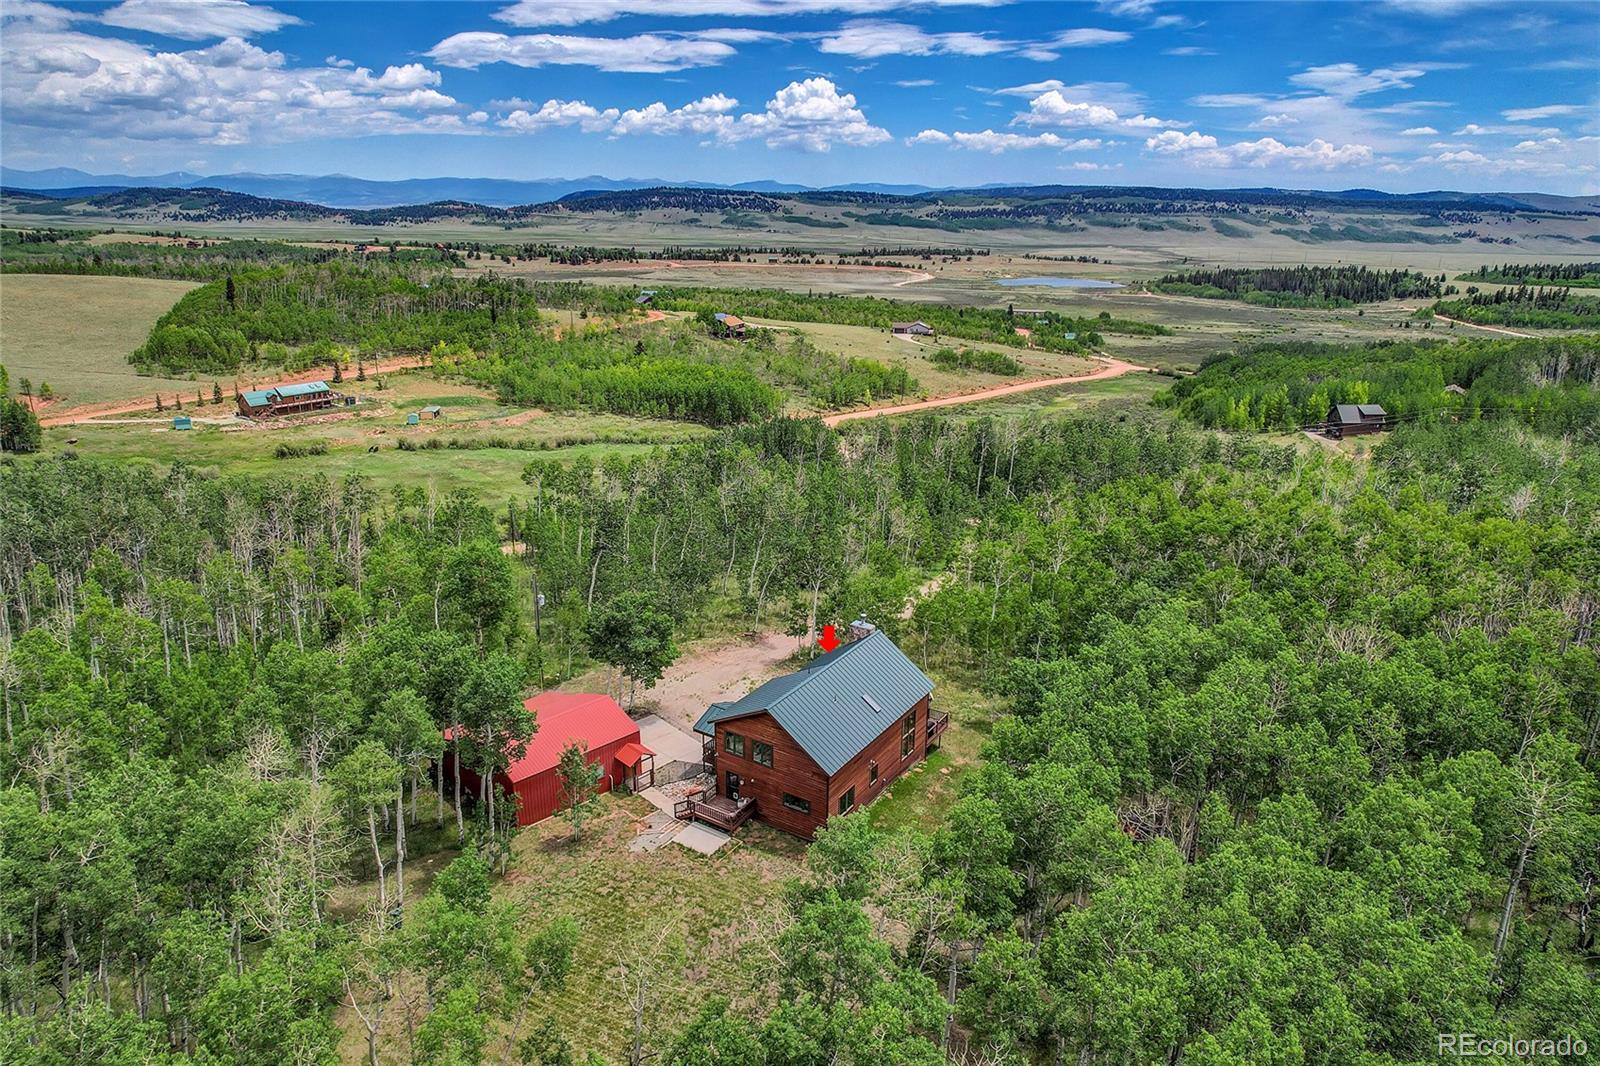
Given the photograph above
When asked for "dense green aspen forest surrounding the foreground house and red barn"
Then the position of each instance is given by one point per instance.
(1295, 756)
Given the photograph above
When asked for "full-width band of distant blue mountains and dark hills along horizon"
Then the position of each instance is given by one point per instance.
(751, 204)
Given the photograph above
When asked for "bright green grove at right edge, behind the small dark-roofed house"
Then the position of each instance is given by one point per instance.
(1553, 383)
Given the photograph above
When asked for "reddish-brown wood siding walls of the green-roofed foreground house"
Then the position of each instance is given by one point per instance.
(796, 774)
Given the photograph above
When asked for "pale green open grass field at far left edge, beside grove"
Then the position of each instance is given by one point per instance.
(78, 332)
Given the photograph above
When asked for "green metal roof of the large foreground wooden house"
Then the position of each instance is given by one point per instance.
(836, 705)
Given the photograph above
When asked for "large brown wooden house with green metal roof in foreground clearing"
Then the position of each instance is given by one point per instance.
(820, 742)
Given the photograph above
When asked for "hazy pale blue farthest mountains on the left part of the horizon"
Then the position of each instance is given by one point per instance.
(342, 191)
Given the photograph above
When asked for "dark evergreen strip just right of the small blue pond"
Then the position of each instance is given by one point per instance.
(1303, 286)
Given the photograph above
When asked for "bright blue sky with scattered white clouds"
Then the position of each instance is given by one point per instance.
(1401, 95)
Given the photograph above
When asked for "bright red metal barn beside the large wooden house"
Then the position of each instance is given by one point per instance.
(591, 719)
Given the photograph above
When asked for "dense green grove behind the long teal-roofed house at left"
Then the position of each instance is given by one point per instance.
(372, 308)
